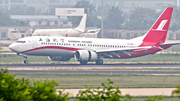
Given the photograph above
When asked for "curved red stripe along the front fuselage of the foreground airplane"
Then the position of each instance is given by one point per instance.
(52, 47)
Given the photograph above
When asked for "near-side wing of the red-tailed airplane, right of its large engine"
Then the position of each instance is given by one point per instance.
(117, 51)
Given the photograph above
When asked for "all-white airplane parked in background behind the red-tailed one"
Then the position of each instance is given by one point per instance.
(71, 32)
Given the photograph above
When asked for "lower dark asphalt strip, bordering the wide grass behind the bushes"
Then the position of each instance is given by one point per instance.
(94, 72)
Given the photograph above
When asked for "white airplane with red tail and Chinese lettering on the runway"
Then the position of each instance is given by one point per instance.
(87, 50)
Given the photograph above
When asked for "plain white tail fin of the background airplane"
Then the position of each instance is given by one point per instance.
(82, 24)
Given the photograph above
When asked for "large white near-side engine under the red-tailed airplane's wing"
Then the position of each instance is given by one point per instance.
(84, 55)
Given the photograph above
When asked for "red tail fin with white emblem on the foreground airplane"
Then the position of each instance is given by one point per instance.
(158, 32)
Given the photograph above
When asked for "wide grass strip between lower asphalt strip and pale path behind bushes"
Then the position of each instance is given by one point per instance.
(95, 80)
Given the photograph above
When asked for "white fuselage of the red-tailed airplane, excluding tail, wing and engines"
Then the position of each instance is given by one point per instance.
(66, 46)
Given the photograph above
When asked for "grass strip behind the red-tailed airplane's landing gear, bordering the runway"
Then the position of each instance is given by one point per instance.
(157, 58)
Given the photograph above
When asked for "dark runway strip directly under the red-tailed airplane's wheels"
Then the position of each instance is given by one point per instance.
(90, 66)
